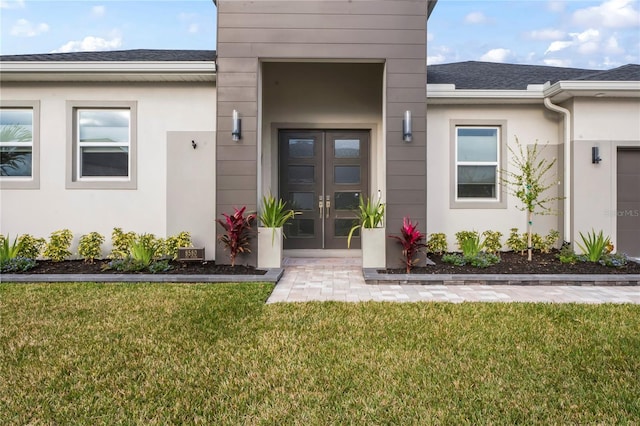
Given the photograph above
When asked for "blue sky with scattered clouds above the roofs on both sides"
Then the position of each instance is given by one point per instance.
(595, 34)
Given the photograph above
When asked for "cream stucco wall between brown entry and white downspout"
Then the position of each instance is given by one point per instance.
(526, 122)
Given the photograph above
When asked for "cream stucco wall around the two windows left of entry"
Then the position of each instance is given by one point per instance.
(161, 108)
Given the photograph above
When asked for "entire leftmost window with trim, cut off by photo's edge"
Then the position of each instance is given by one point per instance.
(18, 145)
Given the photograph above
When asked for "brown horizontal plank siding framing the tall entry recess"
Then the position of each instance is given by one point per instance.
(388, 31)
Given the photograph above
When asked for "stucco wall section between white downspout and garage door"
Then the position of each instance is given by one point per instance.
(607, 124)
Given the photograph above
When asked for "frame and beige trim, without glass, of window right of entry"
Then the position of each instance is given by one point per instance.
(500, 200)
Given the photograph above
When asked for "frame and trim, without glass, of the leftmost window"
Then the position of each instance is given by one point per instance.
(33, 181)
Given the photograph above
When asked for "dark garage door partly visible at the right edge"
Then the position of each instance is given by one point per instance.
(628, 211)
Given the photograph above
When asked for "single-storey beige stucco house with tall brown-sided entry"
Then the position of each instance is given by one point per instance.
(144, 140)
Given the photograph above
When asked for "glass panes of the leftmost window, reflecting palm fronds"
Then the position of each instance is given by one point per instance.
(16, 142)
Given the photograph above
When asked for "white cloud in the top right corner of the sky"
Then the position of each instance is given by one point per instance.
(611, 13)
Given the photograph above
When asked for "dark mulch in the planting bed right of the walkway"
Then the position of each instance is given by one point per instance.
(514, 263)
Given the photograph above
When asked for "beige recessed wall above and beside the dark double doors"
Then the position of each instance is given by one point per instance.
(324, 96)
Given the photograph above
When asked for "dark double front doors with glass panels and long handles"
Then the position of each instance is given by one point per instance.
(322, 175)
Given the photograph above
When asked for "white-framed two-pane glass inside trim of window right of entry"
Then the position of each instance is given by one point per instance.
(477, 159)
